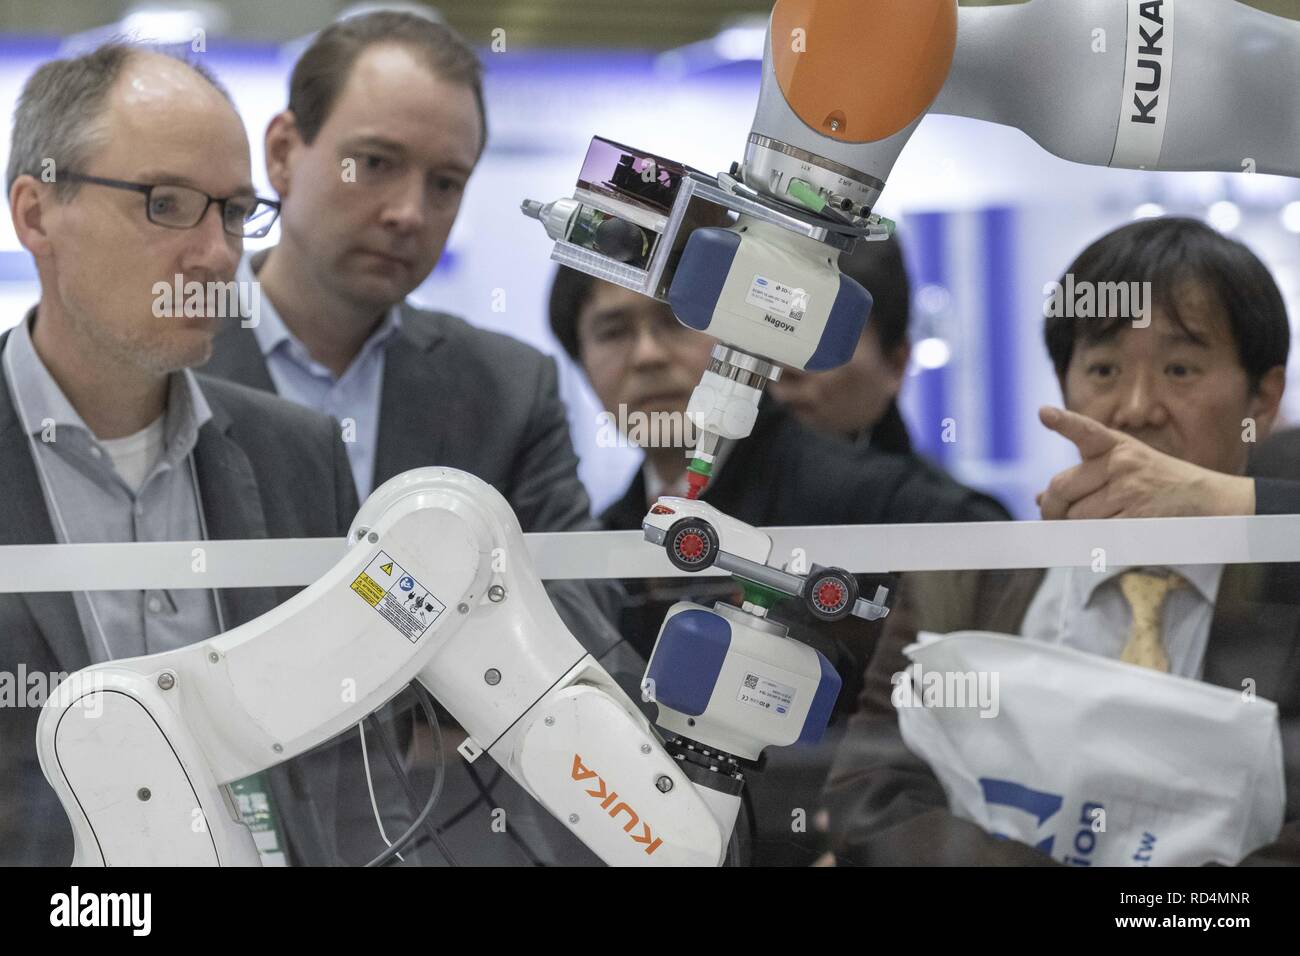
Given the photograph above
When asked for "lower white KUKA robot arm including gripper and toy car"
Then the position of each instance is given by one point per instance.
(437, 586)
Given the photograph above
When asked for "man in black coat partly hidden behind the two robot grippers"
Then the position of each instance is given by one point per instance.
(644, 364)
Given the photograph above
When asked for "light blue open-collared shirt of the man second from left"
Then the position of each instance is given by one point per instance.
(353, 399)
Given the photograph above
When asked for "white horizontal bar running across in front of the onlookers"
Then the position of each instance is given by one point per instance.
(292, 563)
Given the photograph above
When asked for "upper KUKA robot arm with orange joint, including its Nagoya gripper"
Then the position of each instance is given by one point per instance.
(751, 257)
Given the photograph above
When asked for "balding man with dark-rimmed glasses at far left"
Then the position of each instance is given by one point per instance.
(118, 161)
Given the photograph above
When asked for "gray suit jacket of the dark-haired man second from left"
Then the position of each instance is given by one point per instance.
(462, 397)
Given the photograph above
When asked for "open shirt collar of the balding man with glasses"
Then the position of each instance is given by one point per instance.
(44, 403)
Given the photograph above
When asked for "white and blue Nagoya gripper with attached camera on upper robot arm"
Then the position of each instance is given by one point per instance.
(757, 274)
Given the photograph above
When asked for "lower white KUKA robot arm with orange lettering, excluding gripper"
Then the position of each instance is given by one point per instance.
(437, 586)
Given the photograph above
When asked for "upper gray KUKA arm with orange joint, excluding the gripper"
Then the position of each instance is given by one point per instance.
(1178, 85)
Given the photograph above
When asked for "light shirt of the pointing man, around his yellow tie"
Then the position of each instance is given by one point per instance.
(1085, 609)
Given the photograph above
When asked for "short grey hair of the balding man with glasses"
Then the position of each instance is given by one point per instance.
(60, 114)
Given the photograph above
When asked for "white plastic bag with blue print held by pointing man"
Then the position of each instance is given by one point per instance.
(1091, 760)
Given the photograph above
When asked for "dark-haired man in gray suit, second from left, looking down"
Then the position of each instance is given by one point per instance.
(384, 127)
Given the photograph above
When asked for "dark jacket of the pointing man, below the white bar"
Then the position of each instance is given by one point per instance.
(886, 806)
